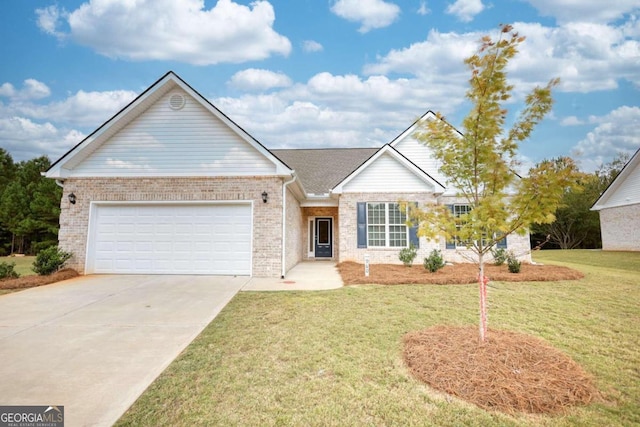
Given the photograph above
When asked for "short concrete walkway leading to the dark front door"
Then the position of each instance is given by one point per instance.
(305, 276)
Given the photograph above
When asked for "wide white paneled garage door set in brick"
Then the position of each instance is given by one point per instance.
(170, 239)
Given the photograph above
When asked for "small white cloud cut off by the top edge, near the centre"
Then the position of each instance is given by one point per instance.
(371, 14)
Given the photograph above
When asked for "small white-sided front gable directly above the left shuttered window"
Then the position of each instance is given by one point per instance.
(386, 174)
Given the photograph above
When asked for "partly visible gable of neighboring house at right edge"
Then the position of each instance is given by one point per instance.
(624, 189)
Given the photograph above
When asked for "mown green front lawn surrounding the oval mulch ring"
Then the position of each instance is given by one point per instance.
(334, 358)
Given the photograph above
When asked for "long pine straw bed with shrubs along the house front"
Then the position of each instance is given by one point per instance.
(393, 274)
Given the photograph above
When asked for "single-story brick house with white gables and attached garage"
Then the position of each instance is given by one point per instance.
(170, 185)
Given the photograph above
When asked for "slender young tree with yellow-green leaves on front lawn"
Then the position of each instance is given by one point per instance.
(481, 162)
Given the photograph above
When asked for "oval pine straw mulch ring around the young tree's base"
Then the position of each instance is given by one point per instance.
(509, 372)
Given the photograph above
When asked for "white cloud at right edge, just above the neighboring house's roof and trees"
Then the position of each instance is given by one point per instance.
(616, 132)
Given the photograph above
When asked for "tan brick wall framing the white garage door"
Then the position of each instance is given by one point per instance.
(267, 225)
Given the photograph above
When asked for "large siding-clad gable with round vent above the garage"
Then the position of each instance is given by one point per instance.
(169, 130)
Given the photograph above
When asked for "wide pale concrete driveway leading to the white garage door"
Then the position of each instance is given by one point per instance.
(95, 343)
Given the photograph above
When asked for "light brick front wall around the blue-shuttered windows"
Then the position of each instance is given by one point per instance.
(348, 242)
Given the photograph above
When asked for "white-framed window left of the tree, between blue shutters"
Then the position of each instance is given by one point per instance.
(386, 225)
